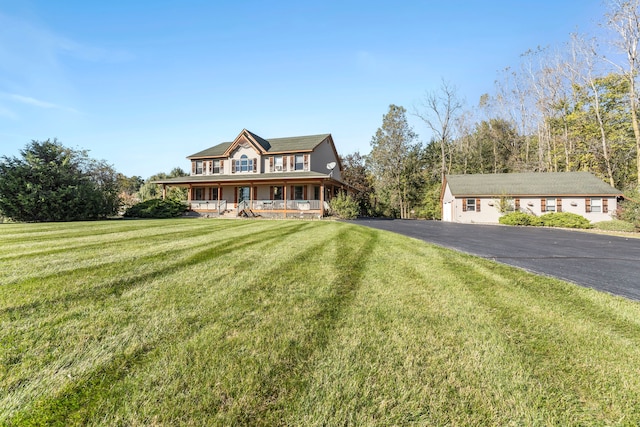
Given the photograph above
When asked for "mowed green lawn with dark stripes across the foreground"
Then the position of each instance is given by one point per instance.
(213, 322)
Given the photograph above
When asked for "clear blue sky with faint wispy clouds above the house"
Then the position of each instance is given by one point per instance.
(143, 84)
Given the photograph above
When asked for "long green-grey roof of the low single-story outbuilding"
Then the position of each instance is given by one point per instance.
(530, 184)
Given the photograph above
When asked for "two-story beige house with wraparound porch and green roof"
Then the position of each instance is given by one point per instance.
(278, 177)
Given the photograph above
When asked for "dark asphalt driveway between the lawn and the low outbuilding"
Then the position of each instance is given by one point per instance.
(607, 263)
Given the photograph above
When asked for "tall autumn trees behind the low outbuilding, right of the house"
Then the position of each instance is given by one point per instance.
(572, 108)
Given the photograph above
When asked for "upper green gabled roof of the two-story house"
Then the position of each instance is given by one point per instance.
(294, 144)
